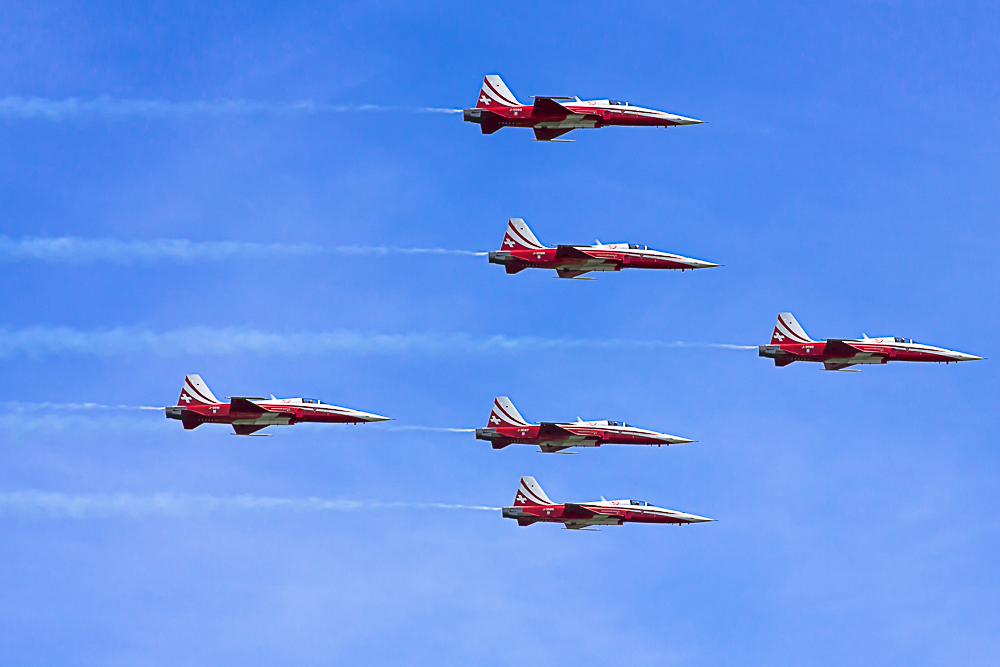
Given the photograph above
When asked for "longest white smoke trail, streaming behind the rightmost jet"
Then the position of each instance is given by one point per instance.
(200, 341)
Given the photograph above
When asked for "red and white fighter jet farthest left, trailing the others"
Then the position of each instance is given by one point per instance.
(197, 405)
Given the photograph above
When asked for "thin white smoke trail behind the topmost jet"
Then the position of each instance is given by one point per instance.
(18, 107)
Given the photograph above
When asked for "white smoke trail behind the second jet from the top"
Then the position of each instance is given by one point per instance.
(78, 250)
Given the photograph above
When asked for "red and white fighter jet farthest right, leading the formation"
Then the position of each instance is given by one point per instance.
(790, 343)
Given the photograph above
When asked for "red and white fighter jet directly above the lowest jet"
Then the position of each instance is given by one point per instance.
(507, 427)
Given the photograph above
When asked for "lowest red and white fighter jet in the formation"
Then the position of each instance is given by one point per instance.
(531, 505)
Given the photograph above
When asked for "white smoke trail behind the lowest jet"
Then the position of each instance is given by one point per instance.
(101, 505)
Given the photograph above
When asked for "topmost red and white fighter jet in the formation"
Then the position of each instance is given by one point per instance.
(552, 117)
